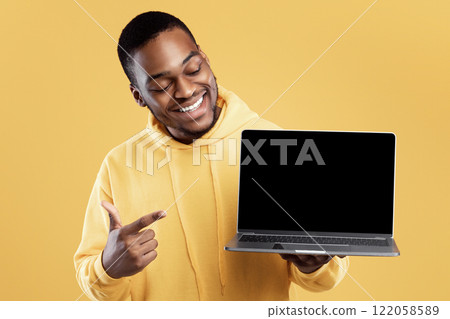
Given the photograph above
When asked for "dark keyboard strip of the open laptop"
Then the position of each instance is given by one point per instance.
(314, 240)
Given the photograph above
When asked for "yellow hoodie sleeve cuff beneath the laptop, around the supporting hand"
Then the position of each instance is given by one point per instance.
(325, 278)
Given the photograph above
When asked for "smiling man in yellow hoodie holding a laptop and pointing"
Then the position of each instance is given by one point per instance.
(190, 117)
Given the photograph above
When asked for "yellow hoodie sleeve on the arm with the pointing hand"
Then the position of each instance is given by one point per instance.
(90, 274)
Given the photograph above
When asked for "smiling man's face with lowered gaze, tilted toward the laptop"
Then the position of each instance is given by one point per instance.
(176, 65)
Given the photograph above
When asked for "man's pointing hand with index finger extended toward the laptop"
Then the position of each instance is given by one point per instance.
(128, 250)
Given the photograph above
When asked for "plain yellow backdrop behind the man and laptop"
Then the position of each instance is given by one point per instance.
(65, 103)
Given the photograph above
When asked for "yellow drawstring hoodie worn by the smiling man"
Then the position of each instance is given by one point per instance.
(197, 185)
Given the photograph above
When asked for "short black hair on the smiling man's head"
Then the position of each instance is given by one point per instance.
(139, 31)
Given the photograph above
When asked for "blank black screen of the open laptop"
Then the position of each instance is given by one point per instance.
(326, 181)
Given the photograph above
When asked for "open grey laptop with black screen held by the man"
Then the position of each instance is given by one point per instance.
(316, 192)
